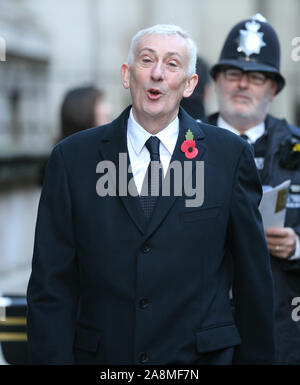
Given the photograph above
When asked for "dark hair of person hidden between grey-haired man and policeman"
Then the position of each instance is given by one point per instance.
(194, 104)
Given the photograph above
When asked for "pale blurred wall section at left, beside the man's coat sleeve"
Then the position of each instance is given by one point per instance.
(18, 210)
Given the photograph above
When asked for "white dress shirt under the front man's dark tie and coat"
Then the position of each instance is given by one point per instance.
(139, 156)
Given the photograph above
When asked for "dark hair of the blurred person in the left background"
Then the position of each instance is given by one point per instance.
(77, 110)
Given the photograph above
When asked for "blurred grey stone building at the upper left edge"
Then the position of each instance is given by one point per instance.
(23, 72)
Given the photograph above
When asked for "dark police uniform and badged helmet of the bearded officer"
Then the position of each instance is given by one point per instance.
(279, 150)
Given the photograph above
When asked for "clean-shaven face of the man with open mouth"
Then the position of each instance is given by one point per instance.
(158, 78)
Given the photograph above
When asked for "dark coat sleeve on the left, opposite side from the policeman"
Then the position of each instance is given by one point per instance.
(53, 285)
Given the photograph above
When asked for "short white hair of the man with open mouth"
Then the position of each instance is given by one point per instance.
(166, 29)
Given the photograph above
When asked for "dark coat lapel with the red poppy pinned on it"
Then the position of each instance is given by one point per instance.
(165, 203)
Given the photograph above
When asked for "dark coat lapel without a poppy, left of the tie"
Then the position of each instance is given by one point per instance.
(114, 143)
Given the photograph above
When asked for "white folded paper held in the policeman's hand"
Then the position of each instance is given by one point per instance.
(273, 205)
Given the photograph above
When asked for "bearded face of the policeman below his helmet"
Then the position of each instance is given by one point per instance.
(242, 102)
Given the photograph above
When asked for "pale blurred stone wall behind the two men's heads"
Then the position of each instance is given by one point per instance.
(89, 40)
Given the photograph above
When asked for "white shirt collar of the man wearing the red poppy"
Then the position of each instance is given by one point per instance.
(138, 135)
